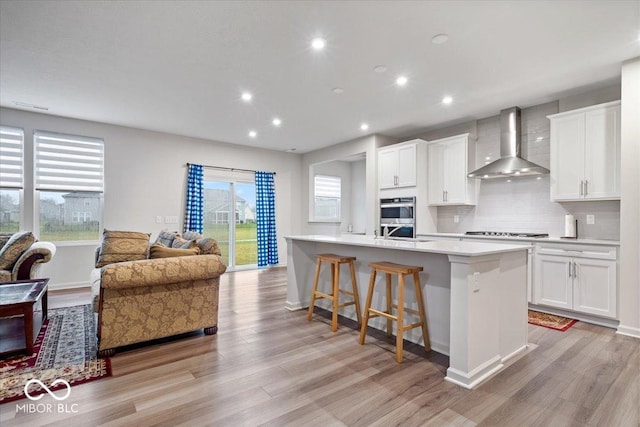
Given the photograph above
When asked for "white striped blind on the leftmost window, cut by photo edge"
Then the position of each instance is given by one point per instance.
(11, 157)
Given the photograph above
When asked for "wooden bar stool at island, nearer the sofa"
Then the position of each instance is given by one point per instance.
(335, 261)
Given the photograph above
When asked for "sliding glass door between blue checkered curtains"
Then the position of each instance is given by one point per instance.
(230, 218)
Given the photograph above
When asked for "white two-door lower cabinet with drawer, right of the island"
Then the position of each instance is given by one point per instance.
(578, 278)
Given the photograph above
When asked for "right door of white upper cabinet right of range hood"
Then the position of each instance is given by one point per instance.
(602, 153)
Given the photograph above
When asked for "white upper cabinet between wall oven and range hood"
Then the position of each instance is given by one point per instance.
(447, 172)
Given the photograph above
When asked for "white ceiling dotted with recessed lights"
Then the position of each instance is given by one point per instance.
(180, 67)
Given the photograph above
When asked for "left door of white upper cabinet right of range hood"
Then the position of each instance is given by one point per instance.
(567, 157)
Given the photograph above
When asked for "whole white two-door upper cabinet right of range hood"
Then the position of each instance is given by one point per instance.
(585, 153)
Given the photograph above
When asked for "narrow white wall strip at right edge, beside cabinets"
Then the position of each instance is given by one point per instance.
(630, 205)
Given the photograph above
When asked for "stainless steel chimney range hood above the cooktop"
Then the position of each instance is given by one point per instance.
(510, 163)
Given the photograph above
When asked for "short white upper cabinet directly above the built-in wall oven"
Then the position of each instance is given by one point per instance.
(397, 166)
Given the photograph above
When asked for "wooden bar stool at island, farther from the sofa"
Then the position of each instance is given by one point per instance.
(401, 271)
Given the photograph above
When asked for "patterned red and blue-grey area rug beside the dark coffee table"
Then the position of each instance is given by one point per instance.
(64, 350)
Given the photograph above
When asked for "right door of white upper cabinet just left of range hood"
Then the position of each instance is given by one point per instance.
(455, 176)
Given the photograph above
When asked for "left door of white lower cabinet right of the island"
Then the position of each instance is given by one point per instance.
(552, 281)
